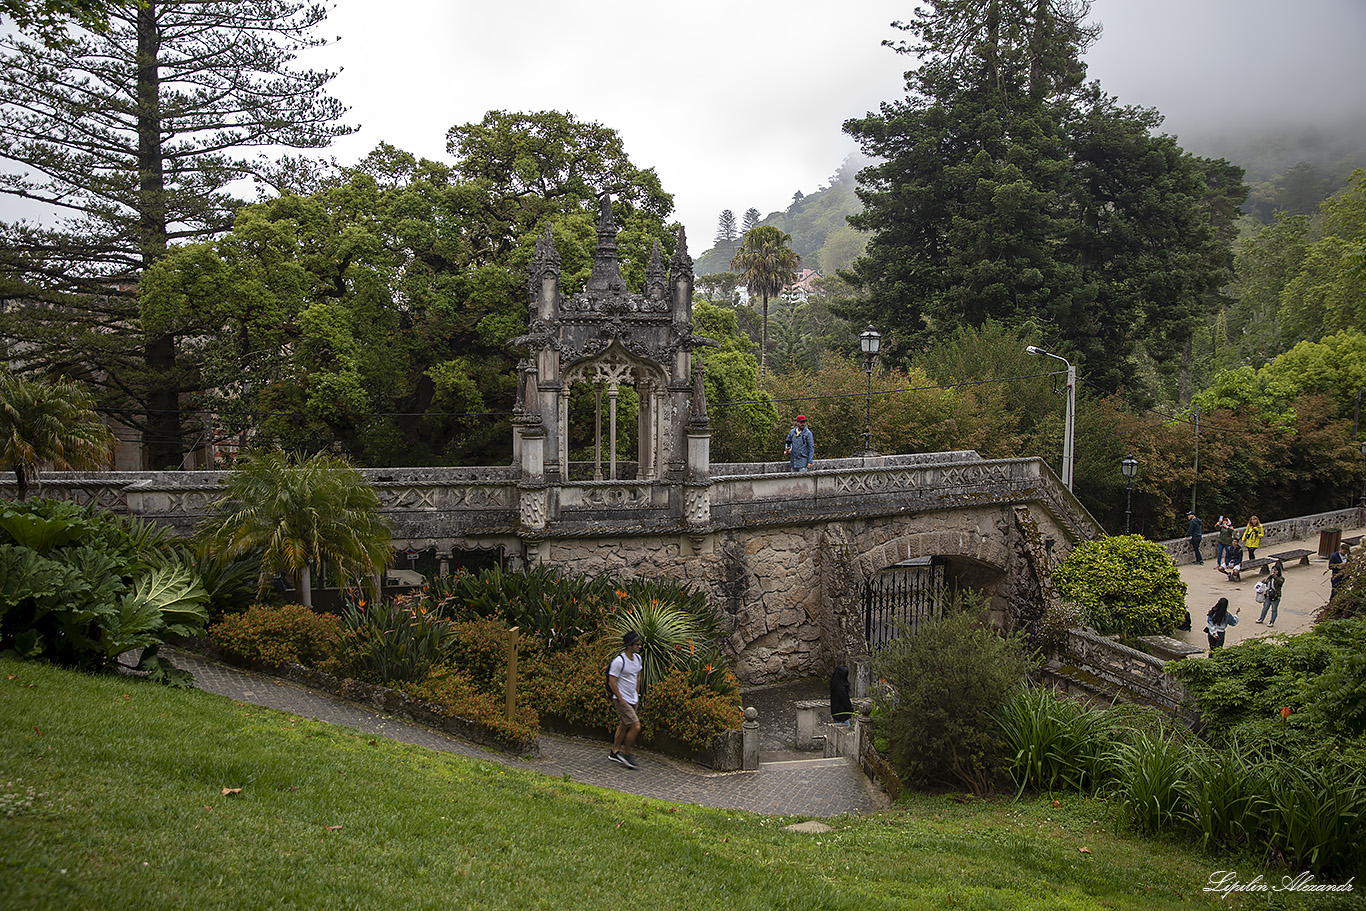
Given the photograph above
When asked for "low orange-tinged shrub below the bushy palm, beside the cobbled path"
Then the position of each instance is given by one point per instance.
(279, 636)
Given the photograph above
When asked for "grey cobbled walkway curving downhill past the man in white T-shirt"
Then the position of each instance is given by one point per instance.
(805, 787)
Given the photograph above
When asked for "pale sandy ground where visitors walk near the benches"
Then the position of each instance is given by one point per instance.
(1307, 591)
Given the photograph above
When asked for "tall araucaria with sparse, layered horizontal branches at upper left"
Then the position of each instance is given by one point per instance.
(133, 141)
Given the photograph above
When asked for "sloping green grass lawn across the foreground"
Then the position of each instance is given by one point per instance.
(113, 797)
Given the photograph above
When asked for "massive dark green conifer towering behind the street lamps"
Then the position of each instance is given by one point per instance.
(1010, 189)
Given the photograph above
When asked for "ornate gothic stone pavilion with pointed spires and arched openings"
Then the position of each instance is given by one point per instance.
(604, 339)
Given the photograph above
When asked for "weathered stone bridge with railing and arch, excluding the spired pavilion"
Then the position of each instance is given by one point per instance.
(782, 554)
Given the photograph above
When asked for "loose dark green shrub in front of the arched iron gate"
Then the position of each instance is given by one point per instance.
(949, 685)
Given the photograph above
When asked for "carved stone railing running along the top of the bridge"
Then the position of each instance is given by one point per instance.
(441, 506)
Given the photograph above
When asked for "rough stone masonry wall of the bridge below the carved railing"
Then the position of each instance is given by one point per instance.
(789, 598)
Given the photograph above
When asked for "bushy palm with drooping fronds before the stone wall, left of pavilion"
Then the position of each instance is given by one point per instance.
(300, 511)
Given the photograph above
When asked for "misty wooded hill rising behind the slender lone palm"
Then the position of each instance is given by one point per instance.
(818, 223)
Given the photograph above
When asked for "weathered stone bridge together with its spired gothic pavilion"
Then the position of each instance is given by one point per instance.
(782, 554)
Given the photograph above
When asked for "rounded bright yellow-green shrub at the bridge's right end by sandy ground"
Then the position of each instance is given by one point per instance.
(1126, 585)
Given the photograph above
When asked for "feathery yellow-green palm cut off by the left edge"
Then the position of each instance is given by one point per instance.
(50, 423)
